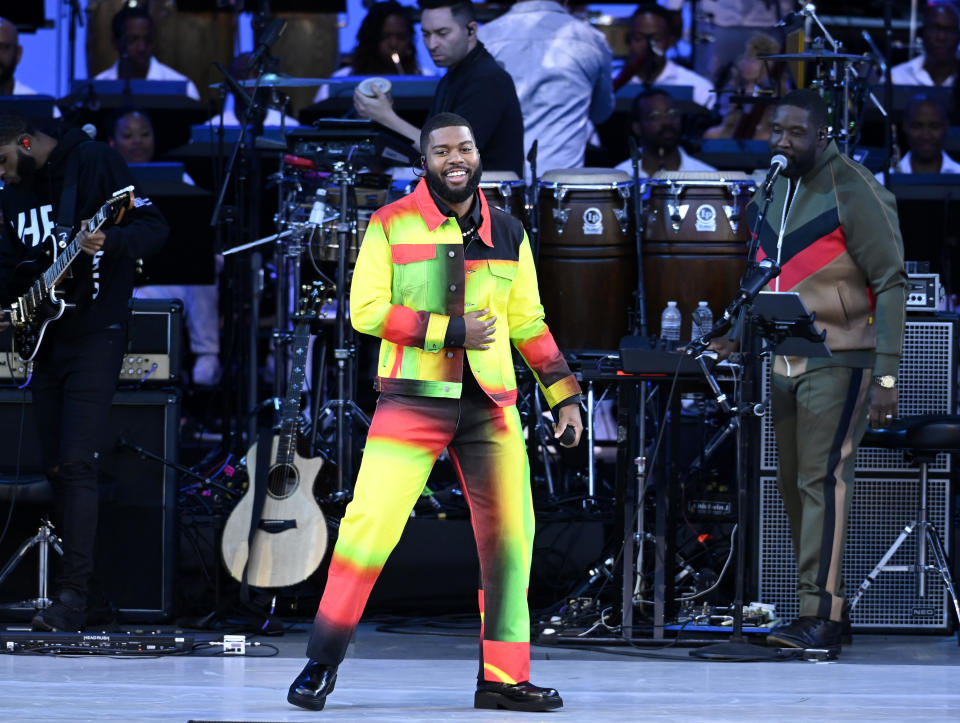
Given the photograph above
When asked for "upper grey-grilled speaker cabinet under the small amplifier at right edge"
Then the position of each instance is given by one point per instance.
(927, 379)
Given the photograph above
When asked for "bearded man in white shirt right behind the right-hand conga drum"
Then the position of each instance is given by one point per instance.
(657, 125)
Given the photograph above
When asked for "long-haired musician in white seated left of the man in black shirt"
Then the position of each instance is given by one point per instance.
(385, 46)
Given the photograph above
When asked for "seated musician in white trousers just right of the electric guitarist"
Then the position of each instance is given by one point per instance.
(131, 134)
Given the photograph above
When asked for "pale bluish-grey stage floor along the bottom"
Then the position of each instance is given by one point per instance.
(393, 677)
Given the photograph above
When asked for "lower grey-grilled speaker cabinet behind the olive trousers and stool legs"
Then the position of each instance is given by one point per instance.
(881, 508)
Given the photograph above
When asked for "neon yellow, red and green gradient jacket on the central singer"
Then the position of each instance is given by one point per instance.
(414, 273)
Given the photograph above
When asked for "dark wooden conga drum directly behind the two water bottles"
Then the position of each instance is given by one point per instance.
(694, 242)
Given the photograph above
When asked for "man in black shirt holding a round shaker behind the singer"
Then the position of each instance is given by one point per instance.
(475, 87)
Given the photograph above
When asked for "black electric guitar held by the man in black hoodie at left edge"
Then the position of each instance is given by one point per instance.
(43, 302)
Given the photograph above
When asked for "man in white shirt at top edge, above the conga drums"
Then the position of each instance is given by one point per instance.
(651, 37)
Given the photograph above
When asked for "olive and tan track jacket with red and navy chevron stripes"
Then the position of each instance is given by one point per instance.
(841, 251)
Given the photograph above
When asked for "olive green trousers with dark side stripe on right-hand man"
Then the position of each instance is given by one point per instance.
(819, 417)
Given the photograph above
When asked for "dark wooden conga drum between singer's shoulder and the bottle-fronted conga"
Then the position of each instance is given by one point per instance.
(587, 265)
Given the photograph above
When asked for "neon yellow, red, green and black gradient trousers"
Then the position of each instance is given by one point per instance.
(487, 448)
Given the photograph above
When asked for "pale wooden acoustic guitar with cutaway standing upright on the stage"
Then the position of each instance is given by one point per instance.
(291, 535)
